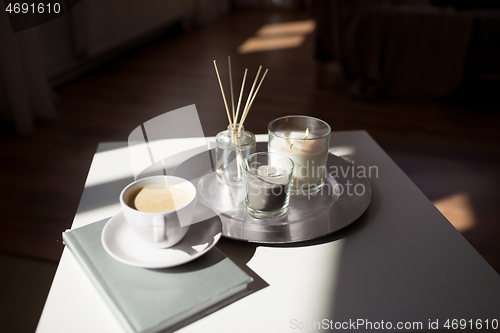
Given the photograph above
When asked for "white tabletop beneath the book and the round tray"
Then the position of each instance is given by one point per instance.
(402, 261)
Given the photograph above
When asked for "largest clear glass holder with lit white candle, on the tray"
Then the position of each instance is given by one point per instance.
(305, 140)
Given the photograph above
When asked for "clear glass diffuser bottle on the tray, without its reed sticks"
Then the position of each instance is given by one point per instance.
(231, 147)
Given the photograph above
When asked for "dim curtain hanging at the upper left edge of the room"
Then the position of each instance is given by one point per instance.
(24, 91)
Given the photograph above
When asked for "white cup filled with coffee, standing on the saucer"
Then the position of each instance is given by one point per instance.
(159, 209)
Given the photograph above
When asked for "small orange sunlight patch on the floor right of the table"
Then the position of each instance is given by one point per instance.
(457, 208)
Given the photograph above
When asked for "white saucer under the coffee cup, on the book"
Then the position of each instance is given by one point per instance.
(122, 244)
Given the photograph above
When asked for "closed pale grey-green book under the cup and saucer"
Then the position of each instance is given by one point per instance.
(153, 300)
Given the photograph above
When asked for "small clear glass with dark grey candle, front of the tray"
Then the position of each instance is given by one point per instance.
(267, 179)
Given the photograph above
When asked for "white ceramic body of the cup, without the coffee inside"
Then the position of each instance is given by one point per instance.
(159, 229)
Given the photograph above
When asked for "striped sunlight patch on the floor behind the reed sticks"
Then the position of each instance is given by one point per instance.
(278, 36)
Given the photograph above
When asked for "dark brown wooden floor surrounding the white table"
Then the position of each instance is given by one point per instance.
(449, 149)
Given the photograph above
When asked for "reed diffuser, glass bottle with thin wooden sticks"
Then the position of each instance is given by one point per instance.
(235, 143)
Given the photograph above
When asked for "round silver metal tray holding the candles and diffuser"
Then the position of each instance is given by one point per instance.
(345, 196)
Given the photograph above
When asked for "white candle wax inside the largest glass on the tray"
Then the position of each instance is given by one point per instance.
(308, 155)
